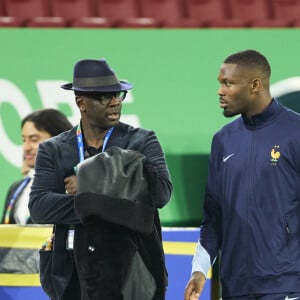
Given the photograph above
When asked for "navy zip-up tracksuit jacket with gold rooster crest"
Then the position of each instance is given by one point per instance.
(252, 203)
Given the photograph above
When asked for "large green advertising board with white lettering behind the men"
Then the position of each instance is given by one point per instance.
(174, 73)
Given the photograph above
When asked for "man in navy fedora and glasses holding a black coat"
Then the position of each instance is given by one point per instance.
(101, 184)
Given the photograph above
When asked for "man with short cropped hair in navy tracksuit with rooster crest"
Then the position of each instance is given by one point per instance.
(252, 199)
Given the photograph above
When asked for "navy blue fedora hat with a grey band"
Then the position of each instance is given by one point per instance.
(95, 76)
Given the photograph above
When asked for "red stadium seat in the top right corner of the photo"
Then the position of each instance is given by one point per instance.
(288, 10)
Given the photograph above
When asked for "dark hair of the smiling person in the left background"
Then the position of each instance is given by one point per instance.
(49, 119)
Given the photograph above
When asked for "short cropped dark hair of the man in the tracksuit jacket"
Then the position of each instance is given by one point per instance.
(251, 60)
